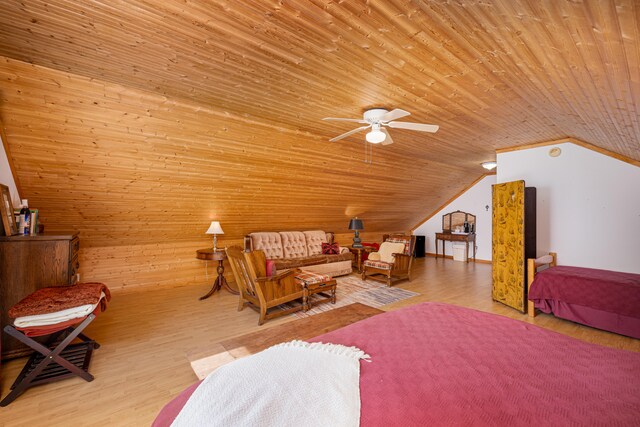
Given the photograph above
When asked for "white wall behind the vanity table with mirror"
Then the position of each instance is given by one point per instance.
(473, 201)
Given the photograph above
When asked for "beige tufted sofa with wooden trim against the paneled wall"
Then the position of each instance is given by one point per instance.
(300, 249)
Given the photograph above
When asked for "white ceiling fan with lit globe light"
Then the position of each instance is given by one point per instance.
(379, 118)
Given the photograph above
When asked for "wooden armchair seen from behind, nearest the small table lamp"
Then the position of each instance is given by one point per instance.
(259, 291)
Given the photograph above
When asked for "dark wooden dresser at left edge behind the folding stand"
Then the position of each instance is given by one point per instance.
(28, 263)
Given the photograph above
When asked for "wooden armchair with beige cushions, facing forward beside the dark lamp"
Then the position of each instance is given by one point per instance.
(392, 261)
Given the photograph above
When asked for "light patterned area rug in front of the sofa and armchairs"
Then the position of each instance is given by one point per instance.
(352, 289)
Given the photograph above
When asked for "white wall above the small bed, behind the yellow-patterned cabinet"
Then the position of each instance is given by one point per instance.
(588, 204)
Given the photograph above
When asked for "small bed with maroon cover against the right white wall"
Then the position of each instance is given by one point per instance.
(603, 299)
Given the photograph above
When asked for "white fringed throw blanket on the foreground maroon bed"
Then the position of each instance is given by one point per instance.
(291, 384)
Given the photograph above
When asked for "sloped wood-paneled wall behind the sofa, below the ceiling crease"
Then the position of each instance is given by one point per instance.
(141, 176)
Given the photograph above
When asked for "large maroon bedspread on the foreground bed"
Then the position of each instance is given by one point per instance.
(438, 364)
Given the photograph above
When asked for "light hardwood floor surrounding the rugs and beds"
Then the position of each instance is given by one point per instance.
(147, 334)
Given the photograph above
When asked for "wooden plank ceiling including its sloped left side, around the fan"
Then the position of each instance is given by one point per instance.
(139, 121)
